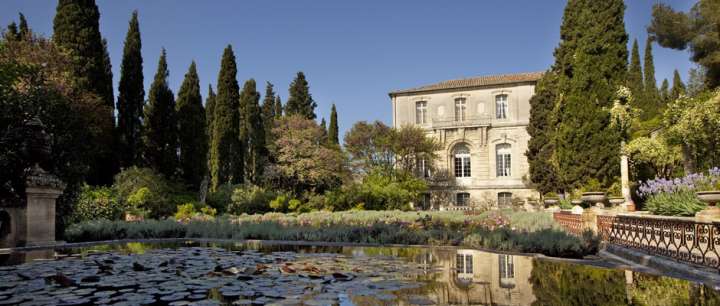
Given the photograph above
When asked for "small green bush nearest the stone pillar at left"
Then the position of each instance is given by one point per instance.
(97, 203)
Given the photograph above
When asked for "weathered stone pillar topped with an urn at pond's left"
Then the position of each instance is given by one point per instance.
(42, 190)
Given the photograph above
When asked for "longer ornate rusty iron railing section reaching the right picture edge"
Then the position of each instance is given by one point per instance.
(683, 239)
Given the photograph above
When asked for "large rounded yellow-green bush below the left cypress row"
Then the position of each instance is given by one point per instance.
(145, 190)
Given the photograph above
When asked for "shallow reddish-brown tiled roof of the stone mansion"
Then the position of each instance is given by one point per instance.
(487, 80)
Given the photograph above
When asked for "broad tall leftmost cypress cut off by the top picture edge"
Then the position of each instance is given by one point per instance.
(76, 28)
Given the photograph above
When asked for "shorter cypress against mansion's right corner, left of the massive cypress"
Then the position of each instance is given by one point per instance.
(541, 128)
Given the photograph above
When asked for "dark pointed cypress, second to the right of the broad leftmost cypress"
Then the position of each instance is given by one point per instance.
(160, 130)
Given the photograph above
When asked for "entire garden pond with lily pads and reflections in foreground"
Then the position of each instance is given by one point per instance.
(253, 273)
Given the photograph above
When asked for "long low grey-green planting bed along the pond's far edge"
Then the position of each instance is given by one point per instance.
(505, 230)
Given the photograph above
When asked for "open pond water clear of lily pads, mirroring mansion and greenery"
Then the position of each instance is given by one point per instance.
(469, 277)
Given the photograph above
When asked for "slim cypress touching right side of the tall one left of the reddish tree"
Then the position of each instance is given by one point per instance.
(252, 132)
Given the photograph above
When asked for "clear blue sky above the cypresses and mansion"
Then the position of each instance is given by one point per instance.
(353, 52)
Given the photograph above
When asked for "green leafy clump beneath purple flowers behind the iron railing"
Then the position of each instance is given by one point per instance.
(679, 203)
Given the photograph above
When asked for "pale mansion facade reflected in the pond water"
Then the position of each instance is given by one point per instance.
(470, 277)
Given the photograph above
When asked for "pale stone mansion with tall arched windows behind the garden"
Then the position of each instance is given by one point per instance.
(481, 124)
